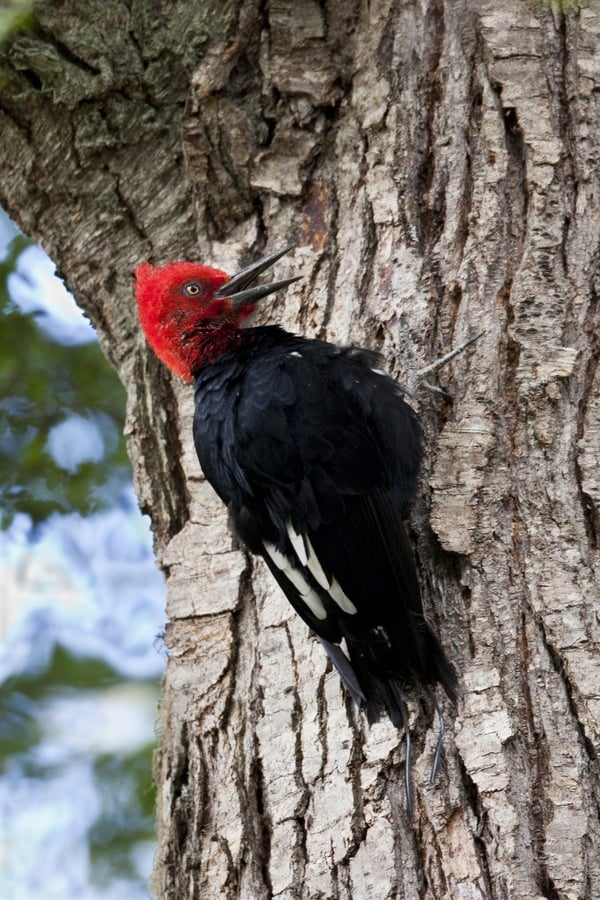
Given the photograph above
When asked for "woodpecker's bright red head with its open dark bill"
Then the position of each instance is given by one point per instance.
(191, 313)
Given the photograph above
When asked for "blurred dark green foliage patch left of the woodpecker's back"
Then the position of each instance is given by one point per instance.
(43, 384)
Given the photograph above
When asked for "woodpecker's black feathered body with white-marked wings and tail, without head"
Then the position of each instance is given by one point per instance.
(321, 457)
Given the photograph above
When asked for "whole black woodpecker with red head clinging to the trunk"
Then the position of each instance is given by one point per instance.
(316, 455)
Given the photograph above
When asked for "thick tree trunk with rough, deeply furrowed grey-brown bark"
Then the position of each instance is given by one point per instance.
(437, 163)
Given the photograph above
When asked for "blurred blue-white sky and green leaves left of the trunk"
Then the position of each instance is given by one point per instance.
(81, 606)
